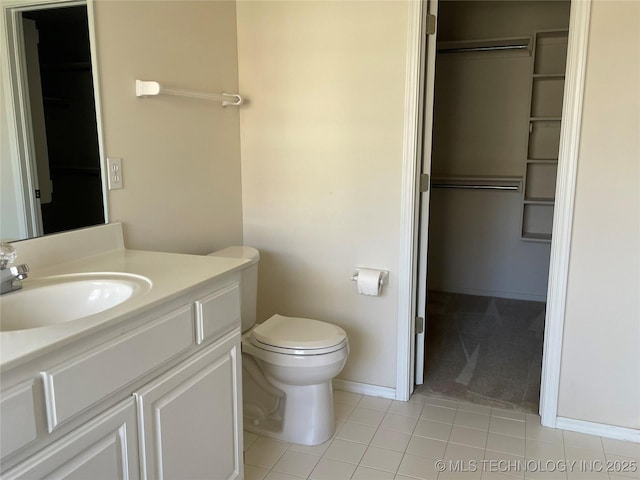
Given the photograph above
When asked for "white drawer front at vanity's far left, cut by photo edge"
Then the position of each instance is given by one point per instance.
(18, 427)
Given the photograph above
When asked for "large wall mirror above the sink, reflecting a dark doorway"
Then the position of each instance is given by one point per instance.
(52, 178)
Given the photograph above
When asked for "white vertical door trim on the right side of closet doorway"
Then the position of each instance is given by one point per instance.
(564, 205)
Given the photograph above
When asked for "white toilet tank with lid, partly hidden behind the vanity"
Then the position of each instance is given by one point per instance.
(248, 281)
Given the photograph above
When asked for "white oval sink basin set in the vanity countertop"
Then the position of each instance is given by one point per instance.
(53, 300)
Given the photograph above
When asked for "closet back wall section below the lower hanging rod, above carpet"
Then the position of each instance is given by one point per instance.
(475, 246)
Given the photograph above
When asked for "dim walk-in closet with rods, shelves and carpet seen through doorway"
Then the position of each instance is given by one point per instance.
(497, 115)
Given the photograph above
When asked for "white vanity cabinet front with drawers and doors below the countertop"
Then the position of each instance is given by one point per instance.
(153, 396)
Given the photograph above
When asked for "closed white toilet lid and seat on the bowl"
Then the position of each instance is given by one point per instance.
(297, 336)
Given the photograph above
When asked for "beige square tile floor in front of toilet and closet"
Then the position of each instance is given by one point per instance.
(382, 439)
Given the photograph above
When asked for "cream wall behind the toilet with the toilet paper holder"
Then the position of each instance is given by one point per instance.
(321, 163)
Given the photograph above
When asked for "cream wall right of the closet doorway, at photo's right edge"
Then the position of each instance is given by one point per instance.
(600, 374)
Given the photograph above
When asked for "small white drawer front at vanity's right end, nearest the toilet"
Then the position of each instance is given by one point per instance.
(218, 313)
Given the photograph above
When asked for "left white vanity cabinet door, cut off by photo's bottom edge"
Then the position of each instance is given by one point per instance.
(103, 448)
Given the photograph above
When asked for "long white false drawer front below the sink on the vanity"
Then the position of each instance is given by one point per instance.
(77, 384)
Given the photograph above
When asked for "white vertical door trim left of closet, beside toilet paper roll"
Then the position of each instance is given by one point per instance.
(408, 208)
